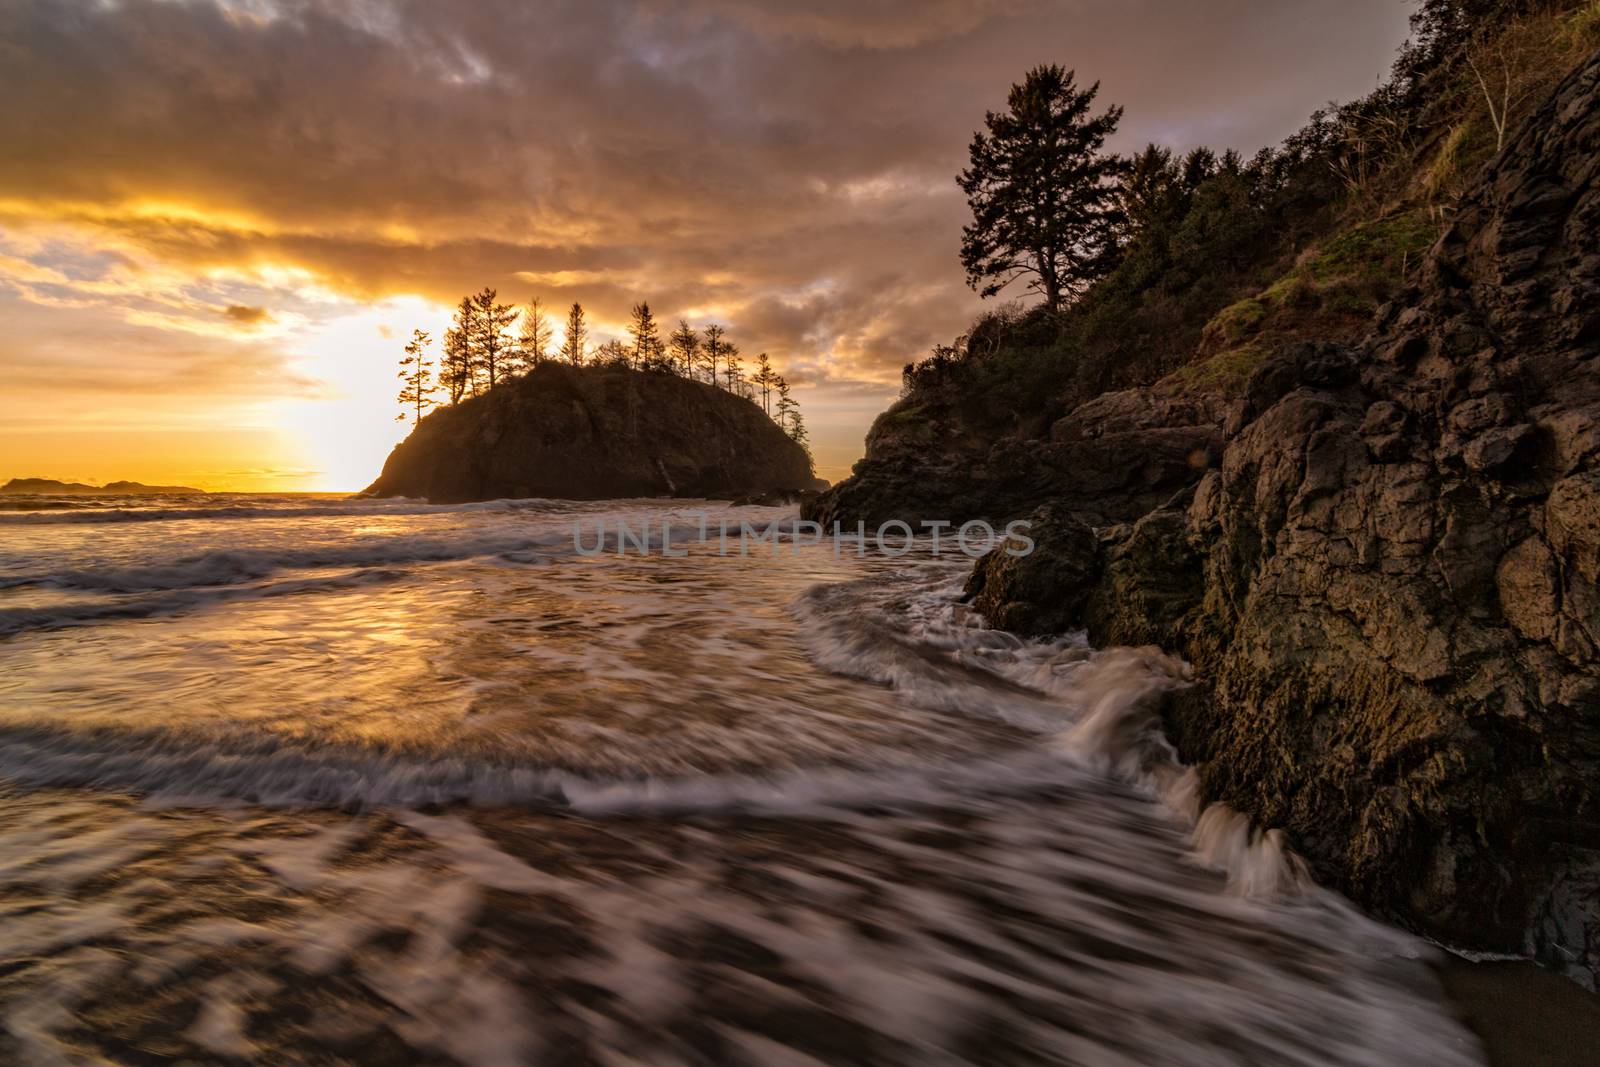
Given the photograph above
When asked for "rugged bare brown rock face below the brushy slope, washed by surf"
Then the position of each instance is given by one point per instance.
(1391, 588)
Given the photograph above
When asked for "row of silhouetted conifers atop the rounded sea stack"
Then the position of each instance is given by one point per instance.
(490, 343)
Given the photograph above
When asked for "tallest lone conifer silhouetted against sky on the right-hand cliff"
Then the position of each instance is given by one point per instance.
(1042, 191)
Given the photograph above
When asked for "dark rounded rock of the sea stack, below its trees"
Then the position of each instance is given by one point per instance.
(593, 434)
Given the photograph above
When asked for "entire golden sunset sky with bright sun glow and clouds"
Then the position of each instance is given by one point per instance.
(220, 222)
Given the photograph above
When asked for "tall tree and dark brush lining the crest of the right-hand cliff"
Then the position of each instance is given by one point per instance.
(1134, 257)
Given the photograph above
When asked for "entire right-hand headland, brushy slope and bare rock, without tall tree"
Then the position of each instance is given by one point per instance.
(1330, 433)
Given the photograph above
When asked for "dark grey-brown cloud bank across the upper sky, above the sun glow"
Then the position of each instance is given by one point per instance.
(783, 166)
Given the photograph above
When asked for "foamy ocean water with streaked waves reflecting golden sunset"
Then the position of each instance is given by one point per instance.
(324, 781)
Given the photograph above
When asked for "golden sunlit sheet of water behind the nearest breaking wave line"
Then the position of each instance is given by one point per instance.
(486, 657)
